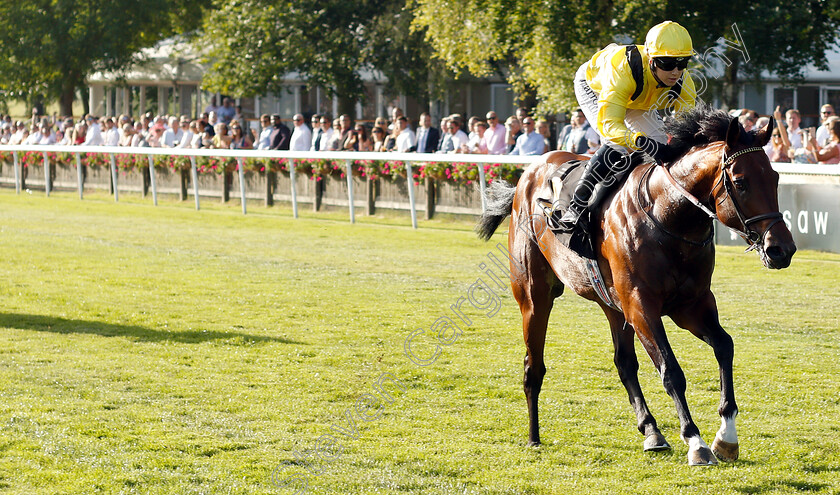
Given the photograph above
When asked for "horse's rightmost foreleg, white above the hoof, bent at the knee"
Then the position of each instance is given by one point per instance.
(702, 320)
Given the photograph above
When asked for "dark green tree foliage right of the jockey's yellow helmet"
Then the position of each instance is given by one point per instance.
(771, 36)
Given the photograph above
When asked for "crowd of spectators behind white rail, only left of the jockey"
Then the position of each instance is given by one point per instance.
(222, 127)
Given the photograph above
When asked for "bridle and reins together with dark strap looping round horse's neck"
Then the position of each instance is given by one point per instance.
(752, 237)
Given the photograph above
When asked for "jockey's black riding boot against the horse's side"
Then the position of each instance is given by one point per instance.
(603, 166)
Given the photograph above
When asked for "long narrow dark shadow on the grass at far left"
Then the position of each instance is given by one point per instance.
(63, 325)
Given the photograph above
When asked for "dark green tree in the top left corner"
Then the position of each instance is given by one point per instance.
(50, 46)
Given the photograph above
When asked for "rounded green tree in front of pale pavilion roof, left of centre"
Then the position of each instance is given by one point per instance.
(252, 44)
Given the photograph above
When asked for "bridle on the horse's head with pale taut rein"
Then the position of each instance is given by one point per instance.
(754, 238)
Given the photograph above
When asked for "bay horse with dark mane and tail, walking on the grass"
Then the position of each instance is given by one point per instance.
(656, 253)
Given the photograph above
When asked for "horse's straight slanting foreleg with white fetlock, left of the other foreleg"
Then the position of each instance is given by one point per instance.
(651, 333)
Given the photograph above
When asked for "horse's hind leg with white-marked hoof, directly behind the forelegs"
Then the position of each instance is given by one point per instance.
(628, 371)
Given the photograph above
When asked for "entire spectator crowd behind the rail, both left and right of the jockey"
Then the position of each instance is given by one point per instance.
(223, 127)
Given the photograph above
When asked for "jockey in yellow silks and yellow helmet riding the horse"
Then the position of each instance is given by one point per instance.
(619, 90)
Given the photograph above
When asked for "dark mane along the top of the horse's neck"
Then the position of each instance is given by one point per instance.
(701, 125)
